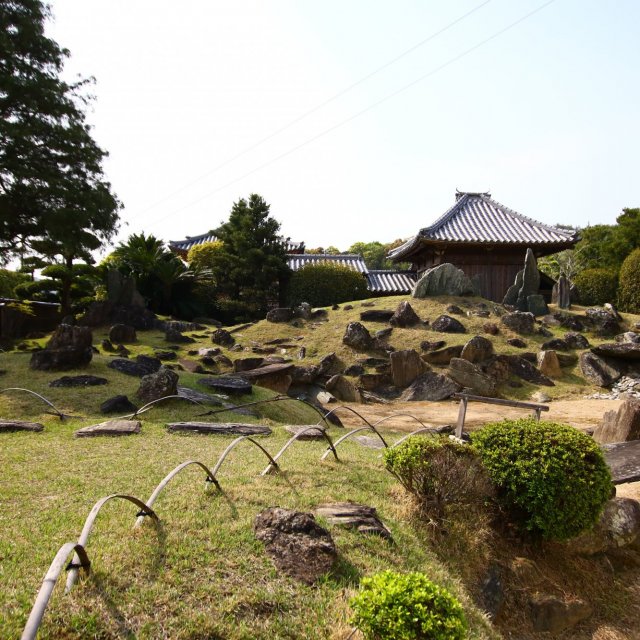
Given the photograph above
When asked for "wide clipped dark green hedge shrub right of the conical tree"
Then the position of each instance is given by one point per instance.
(325, 284)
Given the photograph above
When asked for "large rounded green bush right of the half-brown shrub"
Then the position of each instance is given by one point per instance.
(551, 478)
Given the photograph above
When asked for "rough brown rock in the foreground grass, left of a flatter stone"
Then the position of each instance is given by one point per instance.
(297, 544)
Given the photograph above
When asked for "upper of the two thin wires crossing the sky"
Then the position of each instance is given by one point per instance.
(314, 109)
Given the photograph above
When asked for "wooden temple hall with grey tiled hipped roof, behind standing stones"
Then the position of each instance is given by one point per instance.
(485, 239)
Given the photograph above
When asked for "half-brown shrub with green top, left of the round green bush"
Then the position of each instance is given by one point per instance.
(439, 473)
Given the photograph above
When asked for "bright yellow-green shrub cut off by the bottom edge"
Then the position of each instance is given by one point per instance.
(406, 607)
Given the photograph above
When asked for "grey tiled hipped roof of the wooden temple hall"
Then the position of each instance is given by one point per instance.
(477, 218)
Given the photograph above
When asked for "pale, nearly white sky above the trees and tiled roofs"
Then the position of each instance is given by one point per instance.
(357, 120)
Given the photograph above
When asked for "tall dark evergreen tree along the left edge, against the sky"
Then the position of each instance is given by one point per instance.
(54, 200)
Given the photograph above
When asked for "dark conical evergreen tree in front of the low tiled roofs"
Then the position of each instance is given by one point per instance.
(252, 264)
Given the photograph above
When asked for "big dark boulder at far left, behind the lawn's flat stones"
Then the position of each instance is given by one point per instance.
(69, 348)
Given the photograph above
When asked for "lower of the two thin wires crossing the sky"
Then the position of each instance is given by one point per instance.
(362, 112)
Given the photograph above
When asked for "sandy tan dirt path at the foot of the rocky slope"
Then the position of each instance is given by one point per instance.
(582, 414)
